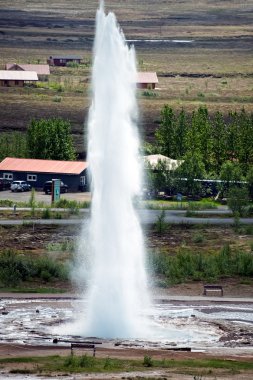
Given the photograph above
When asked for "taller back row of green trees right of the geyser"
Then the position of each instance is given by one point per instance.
(213, 140)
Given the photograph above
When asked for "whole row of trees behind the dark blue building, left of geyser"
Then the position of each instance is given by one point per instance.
(44, 139)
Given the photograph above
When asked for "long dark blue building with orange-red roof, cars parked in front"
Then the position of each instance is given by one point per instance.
(37, 172)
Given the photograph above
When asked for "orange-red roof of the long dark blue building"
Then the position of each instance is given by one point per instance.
(42, 166)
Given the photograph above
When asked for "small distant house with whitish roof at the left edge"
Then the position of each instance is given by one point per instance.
(17, 78)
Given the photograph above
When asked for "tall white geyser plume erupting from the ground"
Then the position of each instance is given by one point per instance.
(117, 293)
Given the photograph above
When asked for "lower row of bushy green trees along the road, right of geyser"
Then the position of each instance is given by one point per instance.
(183, 179)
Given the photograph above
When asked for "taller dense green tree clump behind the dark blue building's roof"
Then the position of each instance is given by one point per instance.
(50, 139)
